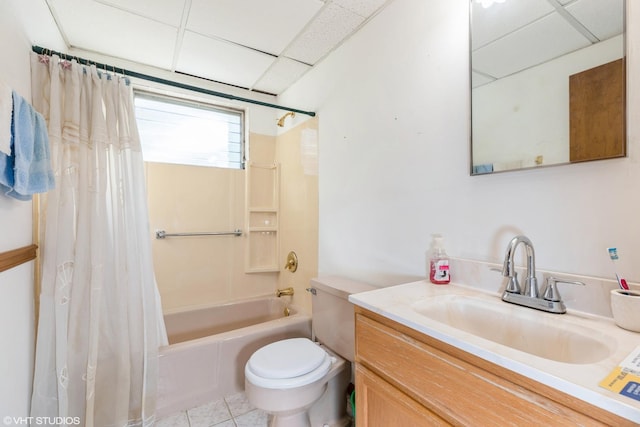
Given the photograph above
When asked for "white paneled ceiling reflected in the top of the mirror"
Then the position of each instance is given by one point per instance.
(518, 34)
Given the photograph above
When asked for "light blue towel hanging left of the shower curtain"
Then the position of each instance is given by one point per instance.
(28, 170)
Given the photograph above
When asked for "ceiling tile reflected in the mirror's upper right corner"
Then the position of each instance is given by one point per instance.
(603, 19)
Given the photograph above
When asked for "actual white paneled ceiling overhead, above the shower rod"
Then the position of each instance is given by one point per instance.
(261, 45)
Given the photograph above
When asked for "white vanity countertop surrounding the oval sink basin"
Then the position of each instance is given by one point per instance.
(578, 380)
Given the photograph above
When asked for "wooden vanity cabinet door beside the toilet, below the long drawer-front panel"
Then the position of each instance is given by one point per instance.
(379, 404)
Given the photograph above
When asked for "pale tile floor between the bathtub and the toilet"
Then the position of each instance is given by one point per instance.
(231, 411)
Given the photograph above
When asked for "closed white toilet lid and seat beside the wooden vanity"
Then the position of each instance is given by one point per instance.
(288, 363)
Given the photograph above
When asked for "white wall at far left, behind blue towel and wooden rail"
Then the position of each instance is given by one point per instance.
(16, 285)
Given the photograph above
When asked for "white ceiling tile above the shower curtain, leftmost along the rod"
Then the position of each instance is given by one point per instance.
(95, 27)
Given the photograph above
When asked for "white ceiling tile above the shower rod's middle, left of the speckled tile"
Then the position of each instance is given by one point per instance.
(221, 61)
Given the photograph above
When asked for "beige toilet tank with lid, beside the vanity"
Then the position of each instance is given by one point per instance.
(332, 314)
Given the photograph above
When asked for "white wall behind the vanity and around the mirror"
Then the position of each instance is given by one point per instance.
(393, 105)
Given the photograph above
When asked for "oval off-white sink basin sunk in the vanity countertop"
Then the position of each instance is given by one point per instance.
(531, 331)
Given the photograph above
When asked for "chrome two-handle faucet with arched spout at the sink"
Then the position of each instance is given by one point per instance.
(529, 296)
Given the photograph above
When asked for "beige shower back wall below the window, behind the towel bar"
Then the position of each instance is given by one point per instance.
(203, 271)
